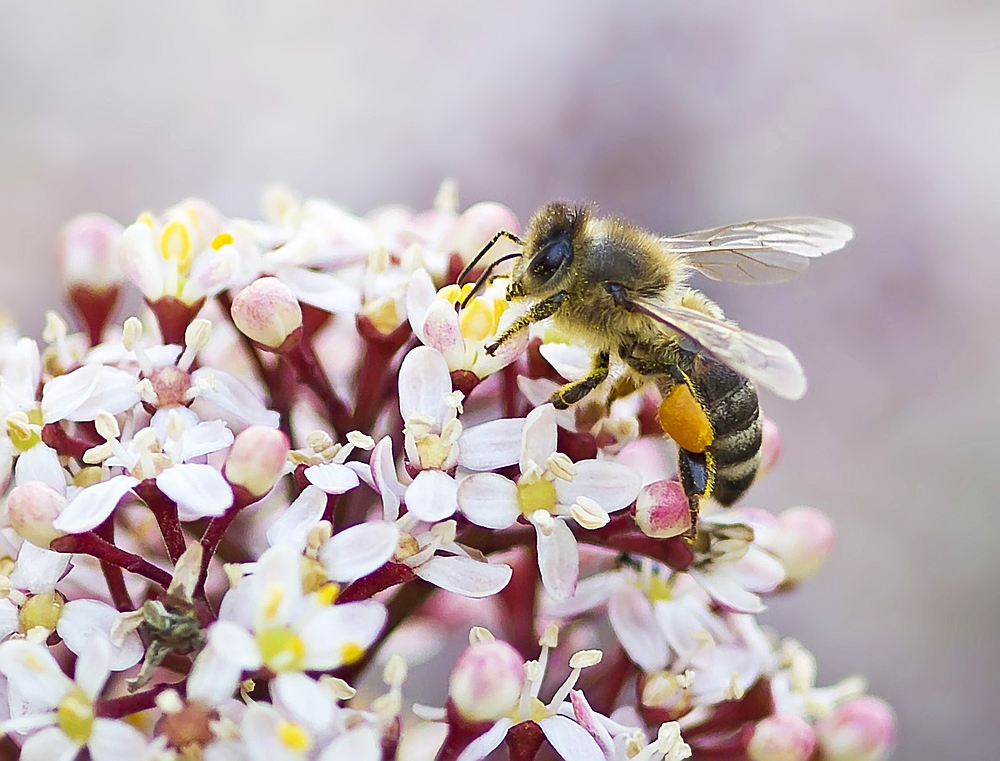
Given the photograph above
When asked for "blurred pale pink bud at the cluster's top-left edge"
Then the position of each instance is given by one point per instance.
(88, 254)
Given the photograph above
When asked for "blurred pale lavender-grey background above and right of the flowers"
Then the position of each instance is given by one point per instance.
(883, 114)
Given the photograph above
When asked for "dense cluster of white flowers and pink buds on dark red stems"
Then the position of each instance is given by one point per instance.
(233, 523)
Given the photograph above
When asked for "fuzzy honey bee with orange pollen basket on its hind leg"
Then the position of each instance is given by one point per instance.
(623, 290)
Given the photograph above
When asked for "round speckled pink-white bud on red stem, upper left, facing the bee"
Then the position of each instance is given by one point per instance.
(268, 313)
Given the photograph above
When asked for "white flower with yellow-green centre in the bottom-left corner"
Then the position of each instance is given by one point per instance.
(63, 709)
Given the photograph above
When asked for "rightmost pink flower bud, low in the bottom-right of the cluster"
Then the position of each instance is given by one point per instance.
(862, 729)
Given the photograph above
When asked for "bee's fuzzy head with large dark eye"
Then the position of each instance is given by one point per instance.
(548, 251)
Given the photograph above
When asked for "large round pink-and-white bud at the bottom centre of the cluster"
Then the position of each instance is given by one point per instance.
(486, 681)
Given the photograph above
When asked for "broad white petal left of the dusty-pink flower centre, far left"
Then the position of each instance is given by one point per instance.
(90, 389)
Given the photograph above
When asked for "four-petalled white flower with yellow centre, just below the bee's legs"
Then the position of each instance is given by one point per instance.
(550, 490)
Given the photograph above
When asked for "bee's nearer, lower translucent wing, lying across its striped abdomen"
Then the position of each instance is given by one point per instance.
(765, 362)
